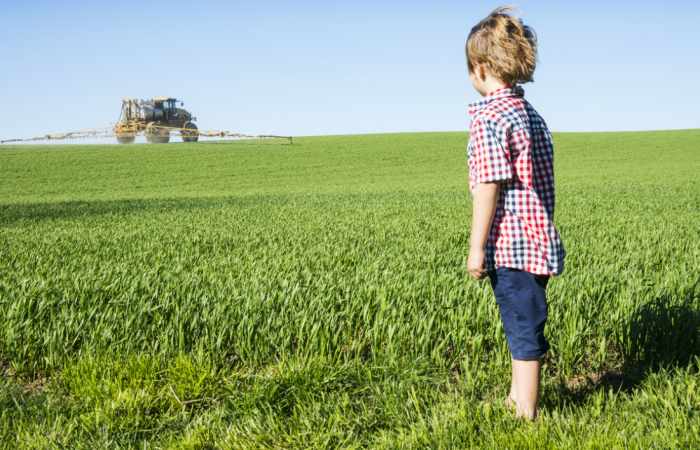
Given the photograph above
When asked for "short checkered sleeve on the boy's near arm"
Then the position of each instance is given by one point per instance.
(489, 154)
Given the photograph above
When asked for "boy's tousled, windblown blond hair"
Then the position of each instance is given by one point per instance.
(505, 44)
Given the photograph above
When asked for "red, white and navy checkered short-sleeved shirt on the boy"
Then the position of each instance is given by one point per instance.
(510, 142)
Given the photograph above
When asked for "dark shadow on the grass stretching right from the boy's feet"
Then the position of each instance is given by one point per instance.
(662, 334)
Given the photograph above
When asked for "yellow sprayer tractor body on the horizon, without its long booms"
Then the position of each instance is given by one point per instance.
(157, 118)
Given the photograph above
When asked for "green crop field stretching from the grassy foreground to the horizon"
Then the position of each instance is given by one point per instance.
(315, 295)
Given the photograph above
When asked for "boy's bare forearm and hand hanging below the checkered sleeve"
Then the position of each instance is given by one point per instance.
(484, 200)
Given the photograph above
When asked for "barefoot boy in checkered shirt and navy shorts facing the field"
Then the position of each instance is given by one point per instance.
(513, 238)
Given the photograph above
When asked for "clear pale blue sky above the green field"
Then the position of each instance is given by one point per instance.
(327, 67)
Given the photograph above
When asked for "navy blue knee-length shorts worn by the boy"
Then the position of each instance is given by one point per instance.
(522, 302)
